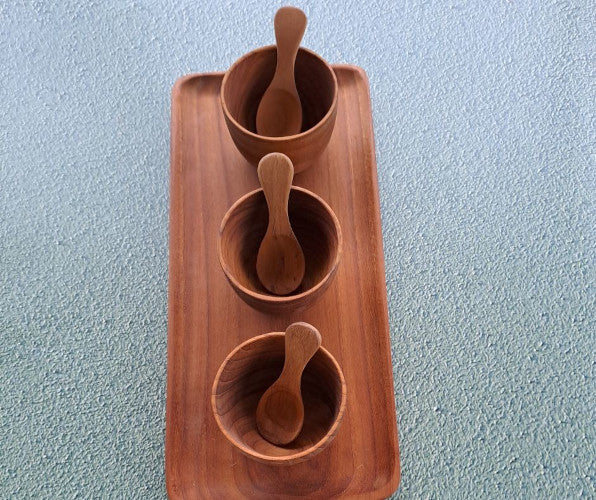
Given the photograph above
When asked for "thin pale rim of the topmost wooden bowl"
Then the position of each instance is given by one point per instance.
(311, 130)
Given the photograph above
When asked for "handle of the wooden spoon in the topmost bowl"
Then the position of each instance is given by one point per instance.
(290, 24)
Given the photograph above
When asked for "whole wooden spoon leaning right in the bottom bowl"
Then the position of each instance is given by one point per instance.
(280, 413)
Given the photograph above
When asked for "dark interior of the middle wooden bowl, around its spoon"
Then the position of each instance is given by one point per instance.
(313, 225)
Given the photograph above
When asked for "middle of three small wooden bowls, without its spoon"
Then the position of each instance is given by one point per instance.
(242, 229)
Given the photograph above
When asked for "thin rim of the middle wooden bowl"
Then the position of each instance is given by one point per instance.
(279, 299)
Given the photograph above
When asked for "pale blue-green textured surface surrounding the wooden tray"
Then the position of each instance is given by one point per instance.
(484, 122)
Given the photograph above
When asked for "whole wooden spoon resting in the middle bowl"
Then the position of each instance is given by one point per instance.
(280, 261)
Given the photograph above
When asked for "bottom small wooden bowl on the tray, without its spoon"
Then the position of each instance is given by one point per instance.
(244, 376)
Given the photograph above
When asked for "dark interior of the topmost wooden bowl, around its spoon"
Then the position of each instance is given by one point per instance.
(252, 74)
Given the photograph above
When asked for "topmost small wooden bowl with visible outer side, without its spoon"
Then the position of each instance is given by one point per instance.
(245, 83)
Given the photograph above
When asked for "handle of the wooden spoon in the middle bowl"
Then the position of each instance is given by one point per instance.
(275, 173)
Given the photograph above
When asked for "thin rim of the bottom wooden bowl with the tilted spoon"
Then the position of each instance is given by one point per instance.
(286, 459)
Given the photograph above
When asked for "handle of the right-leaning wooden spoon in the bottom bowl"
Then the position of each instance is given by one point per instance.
(301, 343)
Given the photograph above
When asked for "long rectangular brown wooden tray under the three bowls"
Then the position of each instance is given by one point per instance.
(207, 319)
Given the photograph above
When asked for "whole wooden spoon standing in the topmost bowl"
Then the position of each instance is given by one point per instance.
(280, 112)
